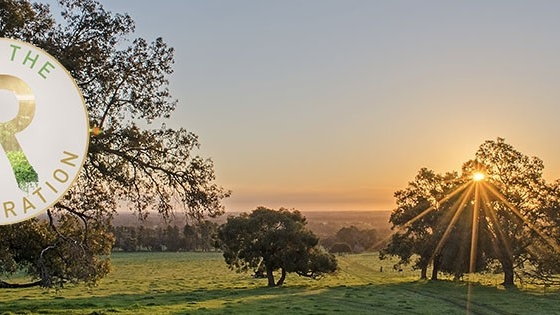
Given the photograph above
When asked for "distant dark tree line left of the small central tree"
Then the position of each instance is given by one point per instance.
(191, 237)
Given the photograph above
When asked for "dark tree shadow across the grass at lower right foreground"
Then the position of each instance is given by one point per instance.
(421, 297)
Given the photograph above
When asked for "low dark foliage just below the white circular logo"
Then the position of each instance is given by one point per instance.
(32, 246)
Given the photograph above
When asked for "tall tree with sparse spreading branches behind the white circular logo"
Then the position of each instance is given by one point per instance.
(144, 168)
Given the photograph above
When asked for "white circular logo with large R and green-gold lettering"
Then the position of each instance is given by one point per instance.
(44, 131)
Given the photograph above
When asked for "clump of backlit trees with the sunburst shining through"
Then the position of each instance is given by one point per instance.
(506, 219)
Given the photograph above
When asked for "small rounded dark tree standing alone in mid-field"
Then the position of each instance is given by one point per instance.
(275, 240)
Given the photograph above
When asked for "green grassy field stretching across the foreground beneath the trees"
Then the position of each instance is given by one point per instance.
(200, 283)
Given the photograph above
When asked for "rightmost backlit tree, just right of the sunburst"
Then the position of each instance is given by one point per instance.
(521, 212)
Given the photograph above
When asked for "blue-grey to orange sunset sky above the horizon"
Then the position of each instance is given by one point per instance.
(335, 105)
